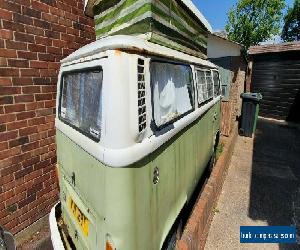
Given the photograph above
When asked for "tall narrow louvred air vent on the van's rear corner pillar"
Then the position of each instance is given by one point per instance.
(141, 95)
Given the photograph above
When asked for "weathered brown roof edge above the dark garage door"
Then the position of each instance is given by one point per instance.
(274, 48)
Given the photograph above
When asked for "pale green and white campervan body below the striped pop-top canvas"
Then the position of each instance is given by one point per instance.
(137, 124)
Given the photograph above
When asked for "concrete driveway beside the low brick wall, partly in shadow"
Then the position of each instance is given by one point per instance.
(262, 187)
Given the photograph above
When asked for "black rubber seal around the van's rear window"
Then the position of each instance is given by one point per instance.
(82, 70)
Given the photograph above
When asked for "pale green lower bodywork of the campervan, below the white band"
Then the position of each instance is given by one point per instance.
(124, 202)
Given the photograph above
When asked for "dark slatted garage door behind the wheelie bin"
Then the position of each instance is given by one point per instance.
(277, 77)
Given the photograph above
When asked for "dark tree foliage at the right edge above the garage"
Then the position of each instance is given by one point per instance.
(291, 28)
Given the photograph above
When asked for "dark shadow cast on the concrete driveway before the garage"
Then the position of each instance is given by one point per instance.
(275, 184)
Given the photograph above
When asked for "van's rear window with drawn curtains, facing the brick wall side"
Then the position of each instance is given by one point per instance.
(81, 101)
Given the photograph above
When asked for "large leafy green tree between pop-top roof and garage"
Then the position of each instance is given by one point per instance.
(253, 21)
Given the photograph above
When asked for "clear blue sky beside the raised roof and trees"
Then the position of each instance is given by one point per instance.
(215, 11)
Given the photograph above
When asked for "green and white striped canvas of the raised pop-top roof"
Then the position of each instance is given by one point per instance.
(176, 26)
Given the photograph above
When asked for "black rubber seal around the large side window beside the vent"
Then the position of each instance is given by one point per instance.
(191, 95)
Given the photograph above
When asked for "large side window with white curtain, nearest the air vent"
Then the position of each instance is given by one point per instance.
(172, 91)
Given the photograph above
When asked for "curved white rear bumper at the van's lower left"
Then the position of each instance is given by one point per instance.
(56, 239)
